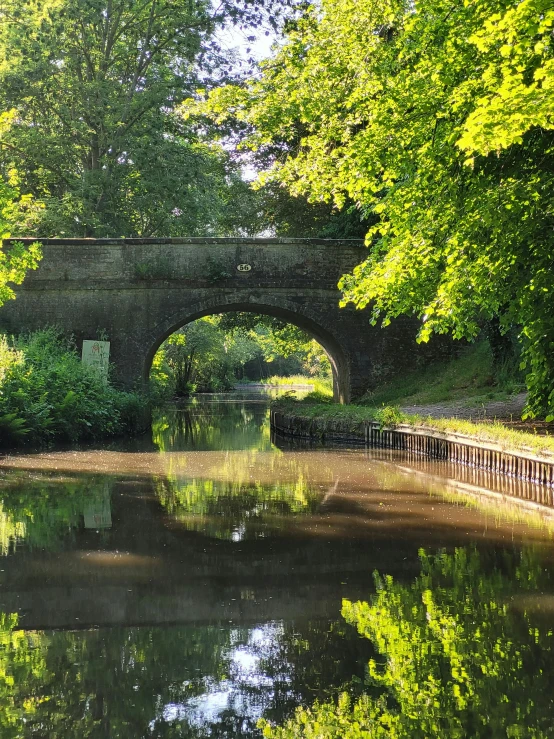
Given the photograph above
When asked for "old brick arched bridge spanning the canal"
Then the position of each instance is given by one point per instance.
(136, 292)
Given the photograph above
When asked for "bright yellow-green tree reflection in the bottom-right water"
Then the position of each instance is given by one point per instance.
(456, 658)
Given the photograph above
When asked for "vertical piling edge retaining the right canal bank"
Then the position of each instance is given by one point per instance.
(422, 440)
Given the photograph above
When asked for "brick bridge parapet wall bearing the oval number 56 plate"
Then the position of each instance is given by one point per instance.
(196, 262)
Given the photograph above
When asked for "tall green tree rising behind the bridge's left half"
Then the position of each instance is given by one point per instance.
(94, 84)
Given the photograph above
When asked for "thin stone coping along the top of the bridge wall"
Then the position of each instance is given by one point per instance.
(185, 240)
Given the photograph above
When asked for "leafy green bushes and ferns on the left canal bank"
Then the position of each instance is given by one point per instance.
(48, 395)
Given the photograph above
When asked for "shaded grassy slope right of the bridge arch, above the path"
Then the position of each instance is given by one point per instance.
(470, 377)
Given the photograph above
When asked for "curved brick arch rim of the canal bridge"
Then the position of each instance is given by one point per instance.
(284, 312)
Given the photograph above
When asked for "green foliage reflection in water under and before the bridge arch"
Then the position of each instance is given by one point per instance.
(230, 502)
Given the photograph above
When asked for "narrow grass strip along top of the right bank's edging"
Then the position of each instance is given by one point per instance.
(391, 416)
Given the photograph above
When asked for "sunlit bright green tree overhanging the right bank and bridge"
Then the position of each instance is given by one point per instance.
(420, 114)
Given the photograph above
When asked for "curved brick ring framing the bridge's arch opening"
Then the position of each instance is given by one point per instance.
(328, 342)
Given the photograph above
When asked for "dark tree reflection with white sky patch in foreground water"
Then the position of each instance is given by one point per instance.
(192, 682)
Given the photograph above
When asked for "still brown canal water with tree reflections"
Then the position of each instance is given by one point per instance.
(189, 583)
